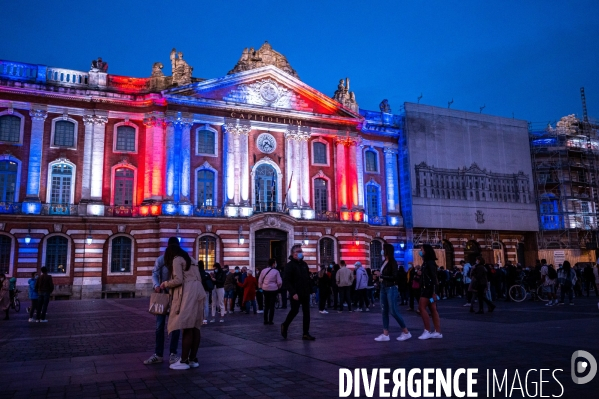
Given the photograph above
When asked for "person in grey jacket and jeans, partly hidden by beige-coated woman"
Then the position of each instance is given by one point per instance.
(160, 273)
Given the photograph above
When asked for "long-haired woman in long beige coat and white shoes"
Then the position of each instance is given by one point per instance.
(187, 306)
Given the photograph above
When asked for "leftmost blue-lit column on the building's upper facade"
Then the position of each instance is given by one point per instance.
(32, 199)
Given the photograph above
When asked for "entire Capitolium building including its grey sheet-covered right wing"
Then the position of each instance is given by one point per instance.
(98, 170)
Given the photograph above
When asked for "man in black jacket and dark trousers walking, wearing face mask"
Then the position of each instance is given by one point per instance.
(297, 282)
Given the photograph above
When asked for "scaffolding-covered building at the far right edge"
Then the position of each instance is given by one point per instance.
(565, 159)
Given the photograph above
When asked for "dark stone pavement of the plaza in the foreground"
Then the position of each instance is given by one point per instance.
(95, 349)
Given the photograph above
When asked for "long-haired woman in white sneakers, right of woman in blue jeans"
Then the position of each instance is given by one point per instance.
(428, 298)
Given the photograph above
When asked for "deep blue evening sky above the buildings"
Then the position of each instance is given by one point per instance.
(522, 58)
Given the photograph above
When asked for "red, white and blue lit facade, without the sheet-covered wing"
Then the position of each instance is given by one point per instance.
(97, 171)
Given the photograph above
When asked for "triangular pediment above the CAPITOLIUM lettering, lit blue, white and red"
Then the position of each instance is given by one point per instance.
(265, 87)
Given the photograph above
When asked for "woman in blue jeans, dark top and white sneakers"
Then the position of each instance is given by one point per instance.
(389, 294)
